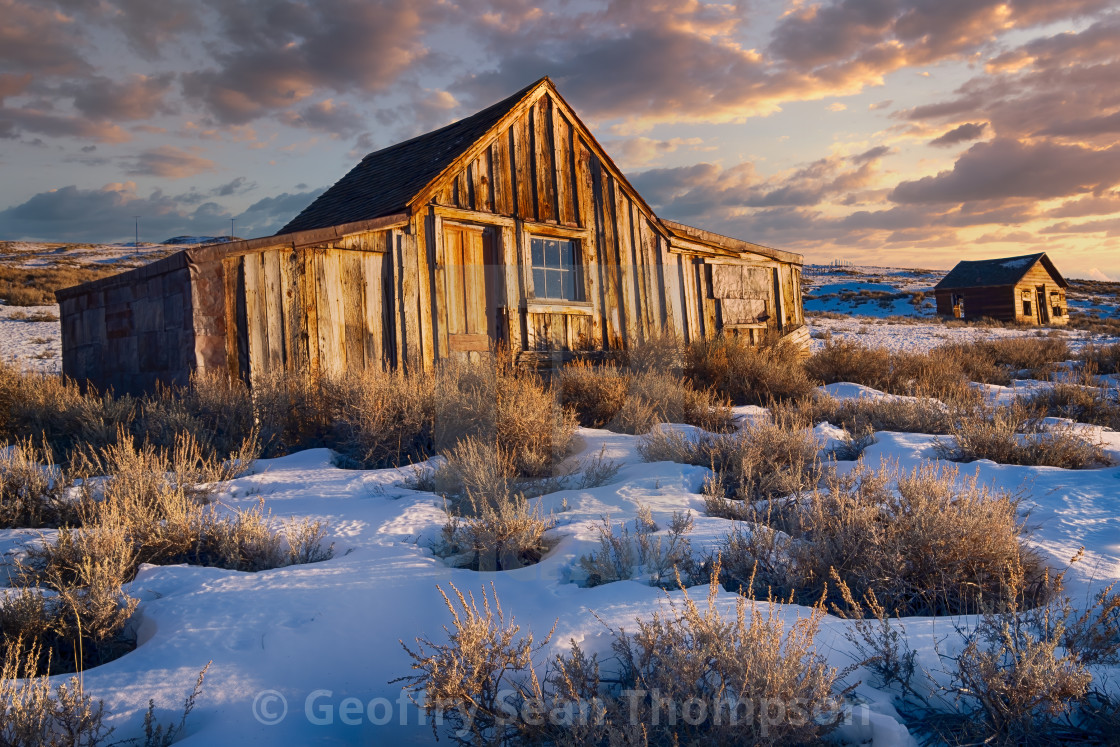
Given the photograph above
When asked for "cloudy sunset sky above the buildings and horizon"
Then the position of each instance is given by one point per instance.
(892, 133)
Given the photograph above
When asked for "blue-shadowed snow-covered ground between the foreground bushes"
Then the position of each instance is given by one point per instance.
(305, 655)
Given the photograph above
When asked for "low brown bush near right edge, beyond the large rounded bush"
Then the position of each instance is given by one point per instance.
(1014, 435)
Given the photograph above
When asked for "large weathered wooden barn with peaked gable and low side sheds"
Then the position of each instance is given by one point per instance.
(509, 228)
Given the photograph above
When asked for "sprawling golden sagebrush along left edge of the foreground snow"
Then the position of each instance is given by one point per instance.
(150, 509)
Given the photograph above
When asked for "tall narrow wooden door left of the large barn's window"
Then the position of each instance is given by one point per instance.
(470, 258)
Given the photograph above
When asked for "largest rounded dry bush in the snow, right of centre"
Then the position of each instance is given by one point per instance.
(923, 544)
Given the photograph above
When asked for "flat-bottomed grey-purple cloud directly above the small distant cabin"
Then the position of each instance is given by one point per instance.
(1009, 169)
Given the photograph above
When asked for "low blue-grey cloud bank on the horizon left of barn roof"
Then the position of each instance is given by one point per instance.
(107, 214)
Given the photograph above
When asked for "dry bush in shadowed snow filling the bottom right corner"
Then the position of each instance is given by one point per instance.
(1024, 676)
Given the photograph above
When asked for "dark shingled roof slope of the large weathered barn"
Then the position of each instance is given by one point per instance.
(386, 181)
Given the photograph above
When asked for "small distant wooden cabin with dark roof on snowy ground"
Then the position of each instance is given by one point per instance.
(1028, 290)
